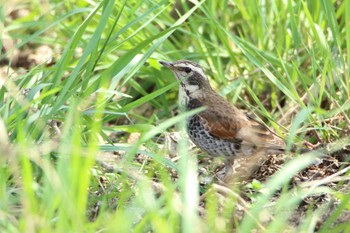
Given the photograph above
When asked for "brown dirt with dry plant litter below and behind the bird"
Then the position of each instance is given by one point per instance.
(330, 171)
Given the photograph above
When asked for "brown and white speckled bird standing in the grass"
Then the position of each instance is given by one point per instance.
(222, 129)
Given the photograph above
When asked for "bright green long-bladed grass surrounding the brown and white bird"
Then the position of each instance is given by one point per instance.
(285, 61)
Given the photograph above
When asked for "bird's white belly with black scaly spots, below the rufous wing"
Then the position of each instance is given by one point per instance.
(210, 144)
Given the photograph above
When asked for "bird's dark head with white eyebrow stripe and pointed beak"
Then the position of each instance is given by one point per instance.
(191, 76)
